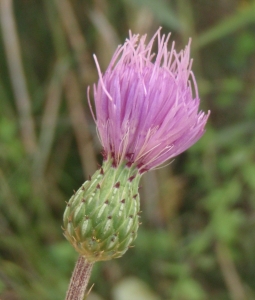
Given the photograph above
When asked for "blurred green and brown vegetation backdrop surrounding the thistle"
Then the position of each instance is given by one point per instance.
(197, 240)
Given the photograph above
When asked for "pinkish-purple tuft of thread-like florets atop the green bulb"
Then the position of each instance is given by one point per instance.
(147, 104)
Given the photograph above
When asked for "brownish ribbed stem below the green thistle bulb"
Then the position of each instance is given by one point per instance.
(79, 280)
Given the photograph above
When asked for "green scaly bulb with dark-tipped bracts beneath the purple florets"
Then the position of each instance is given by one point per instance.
(101, 219)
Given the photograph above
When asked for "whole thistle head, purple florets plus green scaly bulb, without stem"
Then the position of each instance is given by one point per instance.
(147, 112)
